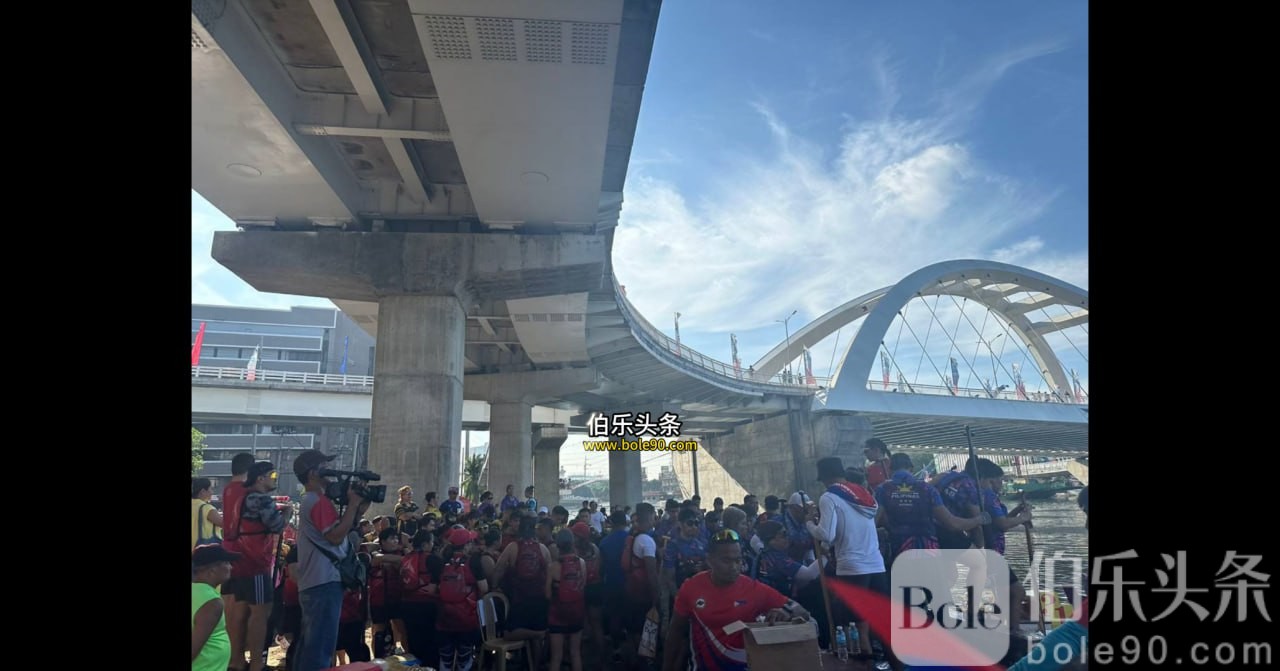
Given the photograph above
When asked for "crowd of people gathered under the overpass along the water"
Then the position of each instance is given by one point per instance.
(573, 586)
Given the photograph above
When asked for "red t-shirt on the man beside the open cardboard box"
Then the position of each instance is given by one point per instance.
(710, 608)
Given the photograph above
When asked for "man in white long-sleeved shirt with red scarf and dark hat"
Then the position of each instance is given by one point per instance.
(847, 522)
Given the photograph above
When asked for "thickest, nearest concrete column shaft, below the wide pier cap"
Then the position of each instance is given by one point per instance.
(418, 395)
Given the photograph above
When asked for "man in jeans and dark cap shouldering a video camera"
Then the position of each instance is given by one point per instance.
(319, 583)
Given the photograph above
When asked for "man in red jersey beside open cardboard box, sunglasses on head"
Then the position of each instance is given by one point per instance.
(719, 597)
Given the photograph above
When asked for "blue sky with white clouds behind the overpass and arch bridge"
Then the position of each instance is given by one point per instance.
(796, 156)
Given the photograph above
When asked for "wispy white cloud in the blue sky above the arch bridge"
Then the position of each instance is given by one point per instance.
(801, 226)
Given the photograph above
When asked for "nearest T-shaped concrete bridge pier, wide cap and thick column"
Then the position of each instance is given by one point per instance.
(423, 285)
